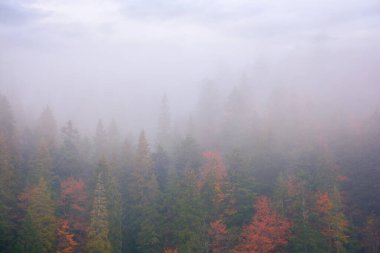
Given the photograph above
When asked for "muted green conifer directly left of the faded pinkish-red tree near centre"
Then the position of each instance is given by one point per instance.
(185, 227)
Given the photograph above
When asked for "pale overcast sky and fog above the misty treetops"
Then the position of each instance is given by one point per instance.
(108, 57)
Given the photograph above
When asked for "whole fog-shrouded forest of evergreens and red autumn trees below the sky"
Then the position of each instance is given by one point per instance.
(231, 179)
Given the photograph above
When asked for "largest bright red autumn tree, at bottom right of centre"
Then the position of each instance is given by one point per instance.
(266, 232)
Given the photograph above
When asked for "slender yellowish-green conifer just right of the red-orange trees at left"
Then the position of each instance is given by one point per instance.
(98, 234)
